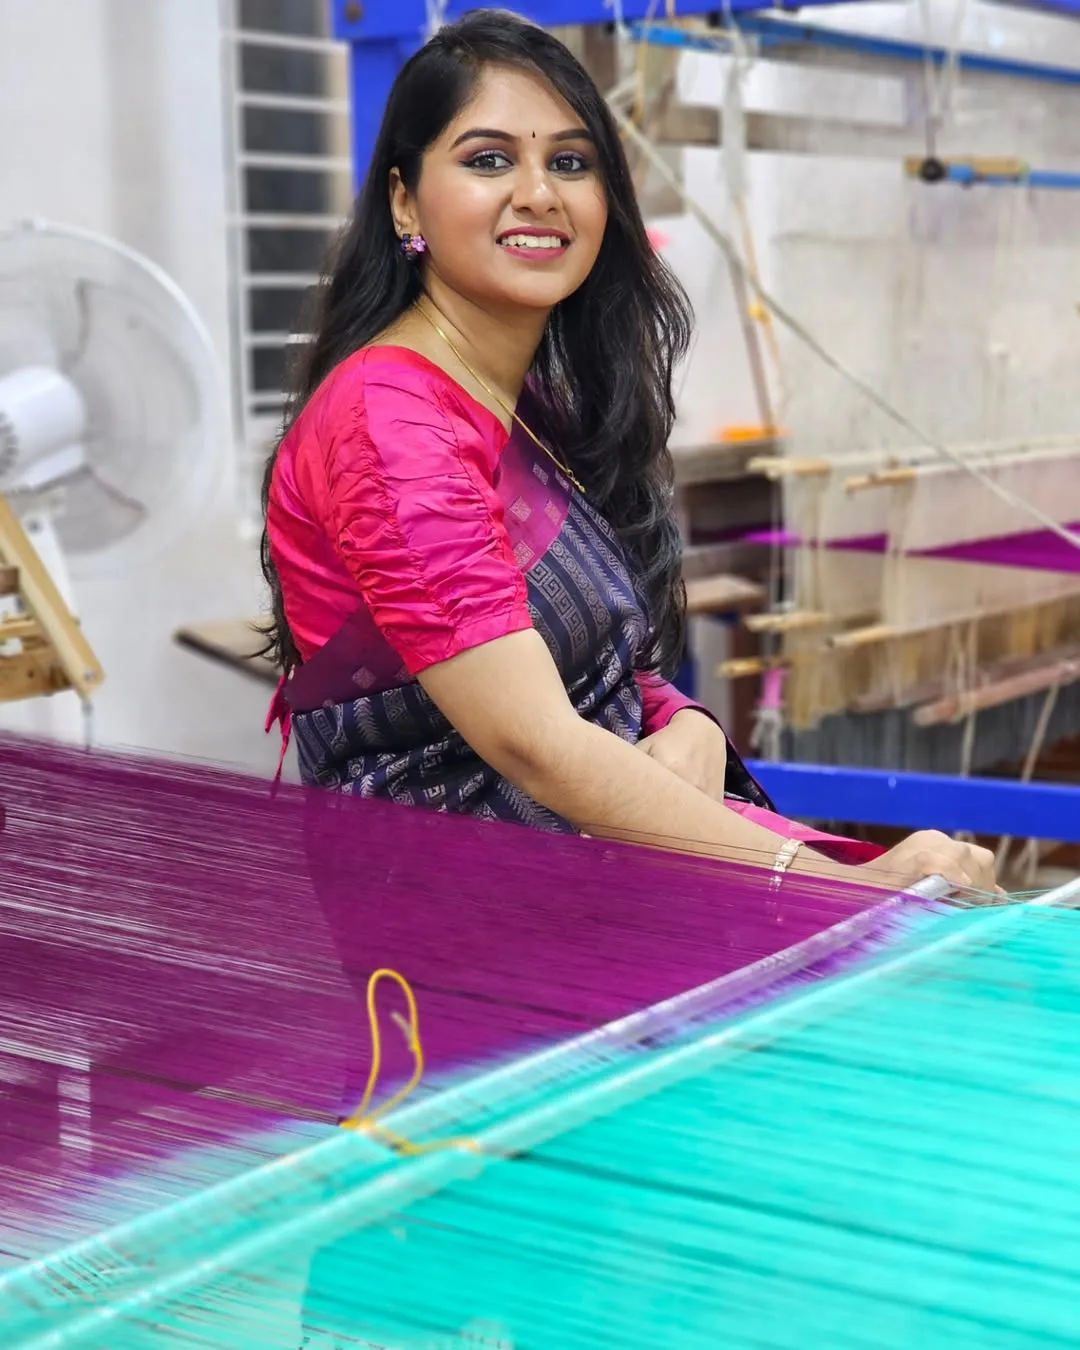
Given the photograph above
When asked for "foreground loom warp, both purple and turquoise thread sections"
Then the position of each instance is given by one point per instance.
(664, 1102)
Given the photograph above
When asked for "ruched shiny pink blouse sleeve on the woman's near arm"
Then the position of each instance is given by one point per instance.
(412, 507)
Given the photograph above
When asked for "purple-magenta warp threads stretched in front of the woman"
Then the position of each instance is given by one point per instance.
(205, 950)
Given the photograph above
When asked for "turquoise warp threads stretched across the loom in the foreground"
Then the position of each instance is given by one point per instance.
(886, 1162)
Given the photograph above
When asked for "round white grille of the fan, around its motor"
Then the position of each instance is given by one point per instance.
(132, 344)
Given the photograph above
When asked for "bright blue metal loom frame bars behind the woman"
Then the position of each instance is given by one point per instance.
(384, 34)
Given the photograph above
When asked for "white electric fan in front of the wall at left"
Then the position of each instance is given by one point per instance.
(110, 416)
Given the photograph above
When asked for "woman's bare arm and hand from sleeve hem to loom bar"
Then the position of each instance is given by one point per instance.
(508, 703)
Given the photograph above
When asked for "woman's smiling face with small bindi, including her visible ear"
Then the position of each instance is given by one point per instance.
(511, 199)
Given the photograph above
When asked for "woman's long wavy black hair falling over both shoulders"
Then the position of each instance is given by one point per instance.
(605, 362)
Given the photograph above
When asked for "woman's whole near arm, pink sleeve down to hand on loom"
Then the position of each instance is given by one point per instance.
(407, 492)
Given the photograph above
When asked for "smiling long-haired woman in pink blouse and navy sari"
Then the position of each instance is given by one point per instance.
(469, 541)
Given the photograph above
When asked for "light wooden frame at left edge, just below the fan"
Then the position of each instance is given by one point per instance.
(49, 653)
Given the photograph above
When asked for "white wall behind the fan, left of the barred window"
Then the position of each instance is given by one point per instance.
(114, 122)
